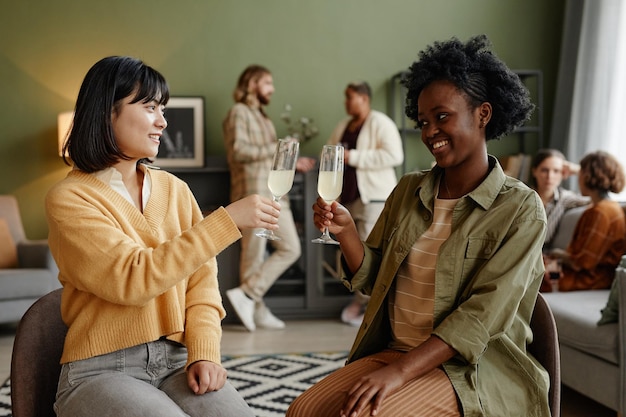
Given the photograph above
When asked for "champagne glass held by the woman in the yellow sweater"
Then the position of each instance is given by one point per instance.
(280, 179)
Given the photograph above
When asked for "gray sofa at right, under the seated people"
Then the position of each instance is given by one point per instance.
(593, 357)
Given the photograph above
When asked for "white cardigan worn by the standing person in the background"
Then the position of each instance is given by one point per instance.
(378, 151)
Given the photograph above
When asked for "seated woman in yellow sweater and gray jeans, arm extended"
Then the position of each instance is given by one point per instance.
(137, 261)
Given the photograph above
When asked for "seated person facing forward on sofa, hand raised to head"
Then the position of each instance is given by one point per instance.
(549, 168)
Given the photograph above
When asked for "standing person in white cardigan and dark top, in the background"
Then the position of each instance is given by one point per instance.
(372, 150)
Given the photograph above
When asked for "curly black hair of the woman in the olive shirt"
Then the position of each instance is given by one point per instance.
(478, 72)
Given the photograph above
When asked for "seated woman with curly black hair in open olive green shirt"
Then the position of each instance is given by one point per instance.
(453, 264)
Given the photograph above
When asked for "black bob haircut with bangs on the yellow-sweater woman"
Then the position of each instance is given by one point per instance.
(91, 144)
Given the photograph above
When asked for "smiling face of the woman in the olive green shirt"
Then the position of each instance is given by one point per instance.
(451, 130)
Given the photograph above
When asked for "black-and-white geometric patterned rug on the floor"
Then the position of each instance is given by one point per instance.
(269, 383)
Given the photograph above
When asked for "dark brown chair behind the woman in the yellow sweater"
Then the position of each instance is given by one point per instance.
(35, 364)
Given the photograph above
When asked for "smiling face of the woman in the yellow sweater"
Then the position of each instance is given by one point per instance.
(137, 127)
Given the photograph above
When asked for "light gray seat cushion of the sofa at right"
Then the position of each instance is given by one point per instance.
(576, 314)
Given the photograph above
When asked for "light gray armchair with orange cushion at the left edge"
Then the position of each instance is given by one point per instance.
(35, 274)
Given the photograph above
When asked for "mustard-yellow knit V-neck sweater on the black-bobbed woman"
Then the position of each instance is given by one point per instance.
(130, 277)
